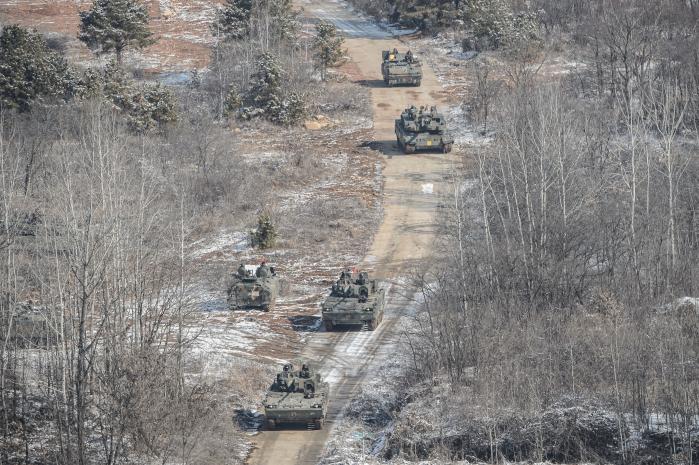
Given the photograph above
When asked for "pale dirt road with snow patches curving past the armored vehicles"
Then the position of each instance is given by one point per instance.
(411, 196)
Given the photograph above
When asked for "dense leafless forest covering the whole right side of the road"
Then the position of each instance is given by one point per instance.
(565, 322)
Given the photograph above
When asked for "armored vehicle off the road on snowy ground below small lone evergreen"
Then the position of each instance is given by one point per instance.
(253, 286)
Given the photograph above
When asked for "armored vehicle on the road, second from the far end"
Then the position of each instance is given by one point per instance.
(419, 129)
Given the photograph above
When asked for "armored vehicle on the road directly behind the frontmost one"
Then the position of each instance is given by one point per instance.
(354, 300)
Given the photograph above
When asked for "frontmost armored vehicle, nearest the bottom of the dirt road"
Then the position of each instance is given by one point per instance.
(297, 396)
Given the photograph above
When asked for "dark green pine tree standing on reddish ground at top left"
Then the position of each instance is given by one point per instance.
(115, 25)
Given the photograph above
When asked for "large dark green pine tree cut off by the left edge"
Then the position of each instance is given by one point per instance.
(29, 70)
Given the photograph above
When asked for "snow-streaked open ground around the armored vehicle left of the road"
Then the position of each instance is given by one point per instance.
(306, 269)
